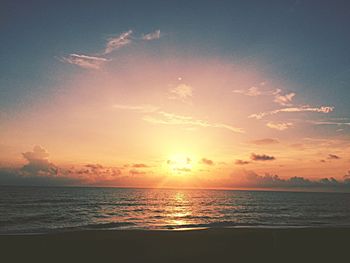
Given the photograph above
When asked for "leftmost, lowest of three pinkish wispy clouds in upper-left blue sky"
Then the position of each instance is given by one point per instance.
(87, 62)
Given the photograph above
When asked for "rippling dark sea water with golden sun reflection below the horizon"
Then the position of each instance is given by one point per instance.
(45, 209)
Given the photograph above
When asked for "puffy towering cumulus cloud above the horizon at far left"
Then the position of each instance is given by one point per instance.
(38, 163)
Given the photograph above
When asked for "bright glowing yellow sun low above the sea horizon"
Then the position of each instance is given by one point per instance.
(180, 164)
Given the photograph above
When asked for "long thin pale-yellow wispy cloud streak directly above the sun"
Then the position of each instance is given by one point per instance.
(173, 119)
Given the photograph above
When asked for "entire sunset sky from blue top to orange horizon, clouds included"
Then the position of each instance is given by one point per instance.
(188, 94)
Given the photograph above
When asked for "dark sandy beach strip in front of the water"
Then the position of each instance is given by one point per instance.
(211, 245)
